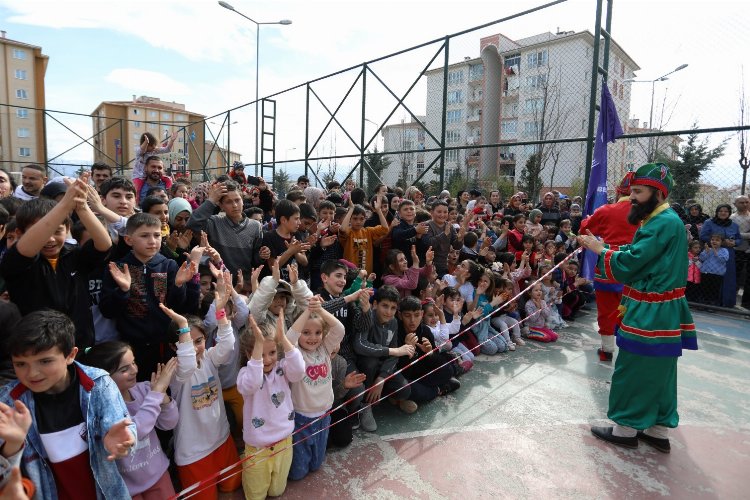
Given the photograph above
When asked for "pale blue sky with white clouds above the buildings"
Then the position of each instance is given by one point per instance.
(202, 55)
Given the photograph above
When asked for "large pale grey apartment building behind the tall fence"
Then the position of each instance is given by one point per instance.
(531, 89)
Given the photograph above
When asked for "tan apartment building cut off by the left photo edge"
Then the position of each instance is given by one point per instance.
(22, 137)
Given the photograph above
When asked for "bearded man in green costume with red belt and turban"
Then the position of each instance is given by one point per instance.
(656, 323)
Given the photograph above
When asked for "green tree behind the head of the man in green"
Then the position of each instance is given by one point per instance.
(693, 158)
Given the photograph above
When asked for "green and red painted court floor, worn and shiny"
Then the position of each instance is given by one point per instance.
(519, 428)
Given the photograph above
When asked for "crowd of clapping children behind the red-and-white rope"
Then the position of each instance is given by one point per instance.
(216, 313)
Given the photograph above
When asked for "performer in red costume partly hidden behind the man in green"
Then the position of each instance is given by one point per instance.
(610, 223)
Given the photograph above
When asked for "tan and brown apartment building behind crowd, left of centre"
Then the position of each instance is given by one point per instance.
(119, 125)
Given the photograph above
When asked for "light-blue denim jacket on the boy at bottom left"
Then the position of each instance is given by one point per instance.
(103, 407)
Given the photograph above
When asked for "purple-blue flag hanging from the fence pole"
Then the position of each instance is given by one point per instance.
(607, 131)
